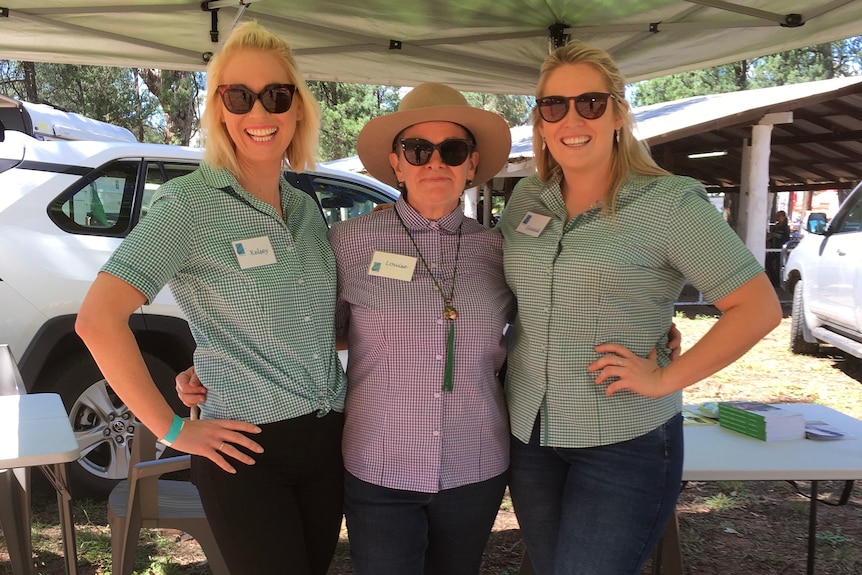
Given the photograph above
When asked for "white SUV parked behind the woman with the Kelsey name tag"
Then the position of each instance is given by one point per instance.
(64, 207)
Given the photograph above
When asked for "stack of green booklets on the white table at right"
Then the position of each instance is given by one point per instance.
(761, 420)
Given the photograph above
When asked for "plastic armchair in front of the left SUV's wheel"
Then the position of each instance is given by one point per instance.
(145, 500)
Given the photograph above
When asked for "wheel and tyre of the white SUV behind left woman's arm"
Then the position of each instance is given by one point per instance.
(102, 423)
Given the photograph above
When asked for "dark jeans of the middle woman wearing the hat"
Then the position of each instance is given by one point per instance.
(396, 532)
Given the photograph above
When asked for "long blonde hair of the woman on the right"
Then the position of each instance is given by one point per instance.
(630, 154)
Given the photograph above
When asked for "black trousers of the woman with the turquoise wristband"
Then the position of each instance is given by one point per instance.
(282, 514)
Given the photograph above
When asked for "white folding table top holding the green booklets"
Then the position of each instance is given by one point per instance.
(713, 453)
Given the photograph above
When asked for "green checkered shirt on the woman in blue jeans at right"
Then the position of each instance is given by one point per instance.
(599, 280)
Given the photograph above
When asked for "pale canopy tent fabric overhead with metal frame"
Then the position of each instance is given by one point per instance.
(478, 45)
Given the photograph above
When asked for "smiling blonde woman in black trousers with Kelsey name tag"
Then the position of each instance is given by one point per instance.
(247, 259)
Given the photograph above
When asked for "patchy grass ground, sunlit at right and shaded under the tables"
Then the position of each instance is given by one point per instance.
(726, 527)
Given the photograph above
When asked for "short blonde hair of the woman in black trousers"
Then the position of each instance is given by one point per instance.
(219, 150)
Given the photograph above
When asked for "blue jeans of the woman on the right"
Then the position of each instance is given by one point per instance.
(597, 510)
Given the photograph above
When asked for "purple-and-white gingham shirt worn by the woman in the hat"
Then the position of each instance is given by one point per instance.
(401, 430)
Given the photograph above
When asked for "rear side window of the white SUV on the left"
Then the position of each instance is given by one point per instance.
(109, 201)
